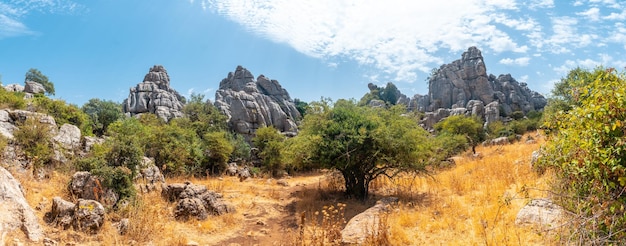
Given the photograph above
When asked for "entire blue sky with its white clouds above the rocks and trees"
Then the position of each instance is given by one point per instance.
(330, 48)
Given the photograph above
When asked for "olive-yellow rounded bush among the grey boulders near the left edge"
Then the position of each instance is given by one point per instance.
(34, 138)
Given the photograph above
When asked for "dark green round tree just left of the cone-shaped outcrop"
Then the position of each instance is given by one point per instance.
(102, 113)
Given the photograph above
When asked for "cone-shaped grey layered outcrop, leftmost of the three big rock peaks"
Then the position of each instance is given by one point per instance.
(154, 95)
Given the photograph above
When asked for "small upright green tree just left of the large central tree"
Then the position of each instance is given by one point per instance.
(269, 141)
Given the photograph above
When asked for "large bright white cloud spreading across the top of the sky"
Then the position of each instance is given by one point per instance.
(400, 38)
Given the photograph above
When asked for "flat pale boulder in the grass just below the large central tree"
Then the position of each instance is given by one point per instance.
(361, 226)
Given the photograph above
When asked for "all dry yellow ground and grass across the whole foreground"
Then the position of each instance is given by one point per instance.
(474, 202)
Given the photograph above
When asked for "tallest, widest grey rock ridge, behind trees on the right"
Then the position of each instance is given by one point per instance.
(463, 87)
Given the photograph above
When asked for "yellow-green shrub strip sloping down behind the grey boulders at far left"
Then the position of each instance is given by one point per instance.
(64, 113)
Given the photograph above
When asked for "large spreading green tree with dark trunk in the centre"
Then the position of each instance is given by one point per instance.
(363, 143)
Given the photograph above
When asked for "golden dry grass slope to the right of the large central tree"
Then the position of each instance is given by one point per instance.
(473, 203)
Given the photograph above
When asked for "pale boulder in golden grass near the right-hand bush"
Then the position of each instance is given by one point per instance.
(542, 212)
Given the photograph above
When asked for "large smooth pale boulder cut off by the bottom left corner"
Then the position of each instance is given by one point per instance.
(15, 212)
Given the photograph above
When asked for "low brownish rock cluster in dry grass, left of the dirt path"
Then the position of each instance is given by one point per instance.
(194, 201)
